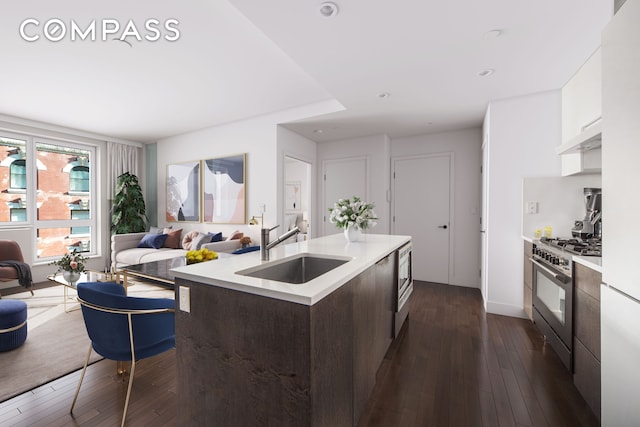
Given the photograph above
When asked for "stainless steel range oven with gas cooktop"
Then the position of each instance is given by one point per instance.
(553, 297)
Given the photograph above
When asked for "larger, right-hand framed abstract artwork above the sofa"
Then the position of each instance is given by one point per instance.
(224, 190)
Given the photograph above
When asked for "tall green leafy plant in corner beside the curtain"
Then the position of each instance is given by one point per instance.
(128, 211)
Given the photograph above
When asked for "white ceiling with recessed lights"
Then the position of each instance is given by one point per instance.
(236, 59)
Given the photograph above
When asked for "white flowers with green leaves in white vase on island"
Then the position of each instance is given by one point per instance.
(353, 216)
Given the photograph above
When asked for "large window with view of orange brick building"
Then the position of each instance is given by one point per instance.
(50, 186)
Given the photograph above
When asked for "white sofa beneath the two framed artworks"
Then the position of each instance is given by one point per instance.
(125, 250)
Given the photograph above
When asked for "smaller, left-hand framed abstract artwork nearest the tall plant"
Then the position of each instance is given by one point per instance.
(183, 192)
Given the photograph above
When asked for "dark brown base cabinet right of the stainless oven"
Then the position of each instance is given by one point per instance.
(586, 330)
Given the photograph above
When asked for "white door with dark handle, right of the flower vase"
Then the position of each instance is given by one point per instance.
(421, 209)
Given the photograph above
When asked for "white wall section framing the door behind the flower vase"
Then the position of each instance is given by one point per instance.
(376, 149)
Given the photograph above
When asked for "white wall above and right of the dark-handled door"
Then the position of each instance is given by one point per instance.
(466, 188)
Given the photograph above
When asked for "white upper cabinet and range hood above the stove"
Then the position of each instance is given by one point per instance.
(582, 119)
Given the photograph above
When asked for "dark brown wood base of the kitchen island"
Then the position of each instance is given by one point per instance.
(245, 359)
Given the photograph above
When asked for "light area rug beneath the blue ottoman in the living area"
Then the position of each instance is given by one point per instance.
(57, 342)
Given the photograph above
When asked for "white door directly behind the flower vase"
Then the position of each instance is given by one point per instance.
(343, 179)
